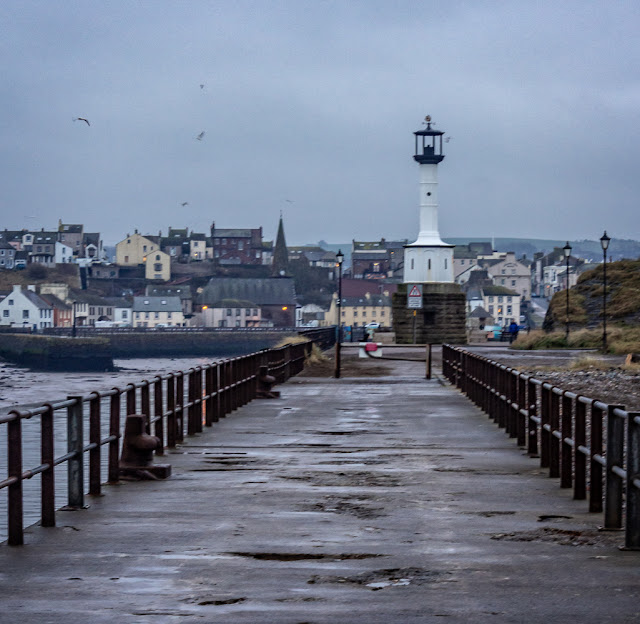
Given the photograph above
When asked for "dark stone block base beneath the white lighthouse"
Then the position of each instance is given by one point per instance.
(441, 320)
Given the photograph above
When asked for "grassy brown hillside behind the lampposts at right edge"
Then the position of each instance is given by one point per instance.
(585, 298)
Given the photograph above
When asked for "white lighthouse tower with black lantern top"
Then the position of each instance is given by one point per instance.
(428, 259)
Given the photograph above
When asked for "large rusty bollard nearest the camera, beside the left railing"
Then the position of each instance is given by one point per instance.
(136, 461)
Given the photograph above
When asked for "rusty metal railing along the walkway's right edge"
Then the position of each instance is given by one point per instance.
(588, 445)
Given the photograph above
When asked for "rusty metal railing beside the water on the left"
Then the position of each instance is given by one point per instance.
(174, 402)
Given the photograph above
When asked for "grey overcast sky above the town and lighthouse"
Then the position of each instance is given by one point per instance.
(309, 108)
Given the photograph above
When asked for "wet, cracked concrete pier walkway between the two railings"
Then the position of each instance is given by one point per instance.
(379, 500)
